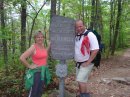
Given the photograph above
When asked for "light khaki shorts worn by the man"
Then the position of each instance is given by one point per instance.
(83, 73)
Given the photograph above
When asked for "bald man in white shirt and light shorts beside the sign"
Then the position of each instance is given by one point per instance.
(86, 48)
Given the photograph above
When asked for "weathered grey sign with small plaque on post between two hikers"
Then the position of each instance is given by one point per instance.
(62, 34)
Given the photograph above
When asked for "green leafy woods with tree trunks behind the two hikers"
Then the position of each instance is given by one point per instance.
(20, 19)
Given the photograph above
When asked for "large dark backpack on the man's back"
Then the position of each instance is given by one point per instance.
(97, 58)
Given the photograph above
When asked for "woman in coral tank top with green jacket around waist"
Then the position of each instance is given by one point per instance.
(38, 73)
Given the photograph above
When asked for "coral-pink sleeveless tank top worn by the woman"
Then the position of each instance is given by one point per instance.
(40, 56)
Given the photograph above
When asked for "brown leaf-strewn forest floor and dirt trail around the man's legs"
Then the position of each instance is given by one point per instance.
(112, 79)
